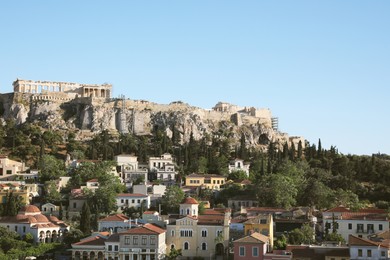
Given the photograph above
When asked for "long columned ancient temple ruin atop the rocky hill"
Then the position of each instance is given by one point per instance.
(71, 89)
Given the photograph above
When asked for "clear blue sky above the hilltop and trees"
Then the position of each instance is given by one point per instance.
(322, 67)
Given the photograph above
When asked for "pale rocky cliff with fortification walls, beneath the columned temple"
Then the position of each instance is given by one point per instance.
(90, 116)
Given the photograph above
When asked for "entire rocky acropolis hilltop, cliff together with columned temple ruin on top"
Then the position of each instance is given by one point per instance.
(87, 109)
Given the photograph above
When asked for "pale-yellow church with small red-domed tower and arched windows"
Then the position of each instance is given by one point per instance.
(205, 235)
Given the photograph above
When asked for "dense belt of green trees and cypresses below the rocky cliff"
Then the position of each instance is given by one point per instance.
(290, 175)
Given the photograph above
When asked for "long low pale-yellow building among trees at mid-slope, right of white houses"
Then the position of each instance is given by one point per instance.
(209, 181)
